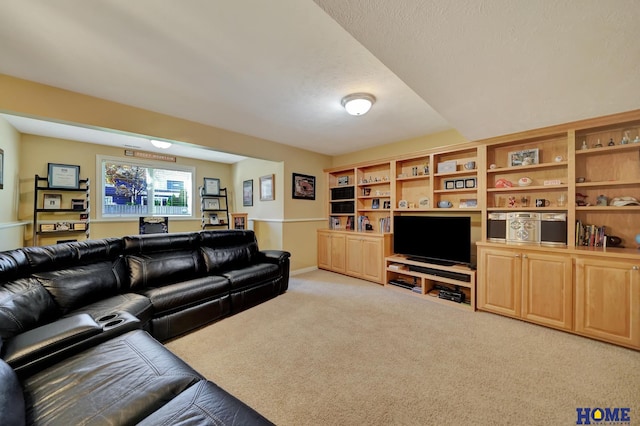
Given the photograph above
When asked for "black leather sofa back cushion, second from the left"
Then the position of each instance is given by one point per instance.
(76, 286)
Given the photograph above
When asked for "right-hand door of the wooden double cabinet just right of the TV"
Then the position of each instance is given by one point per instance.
(547, 289)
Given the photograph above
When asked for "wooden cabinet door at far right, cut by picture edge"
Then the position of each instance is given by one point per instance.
(608, 300)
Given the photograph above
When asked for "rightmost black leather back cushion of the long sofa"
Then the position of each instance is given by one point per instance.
(226, 250)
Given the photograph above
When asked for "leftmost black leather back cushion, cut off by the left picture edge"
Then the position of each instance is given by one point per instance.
(24, 304)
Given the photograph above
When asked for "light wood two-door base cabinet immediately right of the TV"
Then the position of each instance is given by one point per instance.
(527, 284)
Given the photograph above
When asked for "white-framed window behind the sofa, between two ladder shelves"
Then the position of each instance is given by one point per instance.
(144, 188)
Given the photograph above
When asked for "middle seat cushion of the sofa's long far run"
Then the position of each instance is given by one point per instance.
(186, 293)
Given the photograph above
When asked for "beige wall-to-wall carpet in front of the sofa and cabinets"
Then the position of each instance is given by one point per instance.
(335, 350)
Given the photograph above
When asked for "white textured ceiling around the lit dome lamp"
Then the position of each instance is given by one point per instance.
(277, 70)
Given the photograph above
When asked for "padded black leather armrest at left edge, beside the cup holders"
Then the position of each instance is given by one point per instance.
(38, 343)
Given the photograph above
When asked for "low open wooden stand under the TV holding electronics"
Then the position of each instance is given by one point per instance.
(433, 281)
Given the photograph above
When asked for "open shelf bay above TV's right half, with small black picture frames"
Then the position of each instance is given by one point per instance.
(455, 179)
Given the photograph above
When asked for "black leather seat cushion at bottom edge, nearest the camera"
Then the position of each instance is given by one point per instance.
(205, 404)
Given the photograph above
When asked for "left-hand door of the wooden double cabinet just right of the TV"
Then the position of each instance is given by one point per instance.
(499, 281)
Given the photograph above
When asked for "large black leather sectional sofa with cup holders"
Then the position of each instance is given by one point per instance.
(81, 326)
